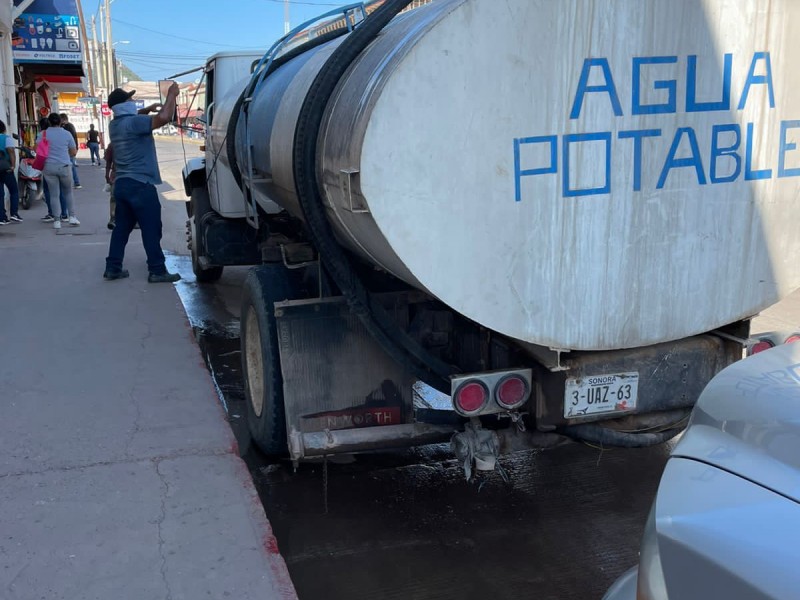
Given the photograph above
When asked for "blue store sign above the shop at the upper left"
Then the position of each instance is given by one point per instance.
(47, 32)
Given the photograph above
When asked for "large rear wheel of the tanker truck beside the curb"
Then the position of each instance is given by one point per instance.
(261, 367)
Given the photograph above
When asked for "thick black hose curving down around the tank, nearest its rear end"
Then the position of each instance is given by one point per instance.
(394, 340)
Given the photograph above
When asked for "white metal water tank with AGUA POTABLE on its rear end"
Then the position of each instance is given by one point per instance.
(578, 174)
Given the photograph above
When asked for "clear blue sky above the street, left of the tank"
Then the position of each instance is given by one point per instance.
(170, 36)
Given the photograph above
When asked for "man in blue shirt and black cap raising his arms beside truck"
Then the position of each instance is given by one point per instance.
(137, 175)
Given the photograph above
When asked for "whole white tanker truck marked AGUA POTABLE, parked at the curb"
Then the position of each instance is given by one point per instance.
(504, 224)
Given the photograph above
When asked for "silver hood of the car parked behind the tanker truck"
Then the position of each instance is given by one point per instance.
(747, 421)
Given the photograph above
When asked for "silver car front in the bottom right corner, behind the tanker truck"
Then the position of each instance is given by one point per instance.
(726, 519)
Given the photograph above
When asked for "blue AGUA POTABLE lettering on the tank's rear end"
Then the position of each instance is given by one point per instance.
(655, 82)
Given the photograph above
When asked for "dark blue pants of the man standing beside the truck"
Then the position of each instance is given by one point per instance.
(136, 202)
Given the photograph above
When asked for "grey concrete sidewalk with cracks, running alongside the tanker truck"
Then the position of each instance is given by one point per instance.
(119, 477)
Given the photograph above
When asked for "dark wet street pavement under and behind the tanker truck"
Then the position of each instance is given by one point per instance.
(406, 524)
